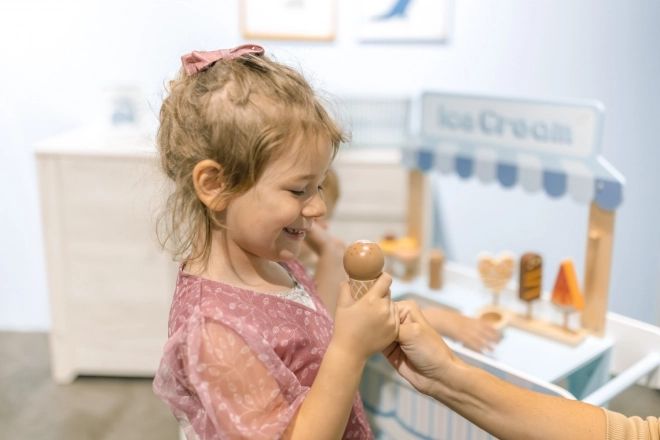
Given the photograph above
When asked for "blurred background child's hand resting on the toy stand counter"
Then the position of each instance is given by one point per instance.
(473, 333)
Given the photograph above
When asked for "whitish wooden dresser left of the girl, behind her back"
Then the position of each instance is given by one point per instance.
(110, 287)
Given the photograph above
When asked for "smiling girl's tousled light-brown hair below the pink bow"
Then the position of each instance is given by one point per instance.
(239, 113)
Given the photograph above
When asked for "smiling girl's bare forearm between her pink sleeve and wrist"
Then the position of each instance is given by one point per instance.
(324, 413)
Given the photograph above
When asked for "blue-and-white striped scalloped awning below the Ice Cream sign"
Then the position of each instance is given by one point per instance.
(584, 180)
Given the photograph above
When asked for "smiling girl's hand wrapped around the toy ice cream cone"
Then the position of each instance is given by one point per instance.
(368, 325)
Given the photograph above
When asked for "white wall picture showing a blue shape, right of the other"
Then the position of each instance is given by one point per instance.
(404, 20)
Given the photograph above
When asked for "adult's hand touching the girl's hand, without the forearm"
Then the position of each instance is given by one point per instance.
(419, 354)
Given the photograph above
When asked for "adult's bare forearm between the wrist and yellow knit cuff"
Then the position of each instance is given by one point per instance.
(510, 412)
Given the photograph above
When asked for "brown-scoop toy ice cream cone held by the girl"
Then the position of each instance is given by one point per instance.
(363, 262)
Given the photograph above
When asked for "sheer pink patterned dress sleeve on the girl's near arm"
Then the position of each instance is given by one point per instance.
(243, 393)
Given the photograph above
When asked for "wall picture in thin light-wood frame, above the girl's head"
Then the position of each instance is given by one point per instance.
(288, 19)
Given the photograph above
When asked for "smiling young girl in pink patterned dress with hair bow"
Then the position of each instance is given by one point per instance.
(252, 352)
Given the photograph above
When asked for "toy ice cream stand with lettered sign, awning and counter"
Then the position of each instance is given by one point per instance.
(545, 147)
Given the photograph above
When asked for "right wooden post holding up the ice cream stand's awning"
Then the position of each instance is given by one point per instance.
(600, 237)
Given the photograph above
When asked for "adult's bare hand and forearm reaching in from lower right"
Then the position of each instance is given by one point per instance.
(504, 410)
